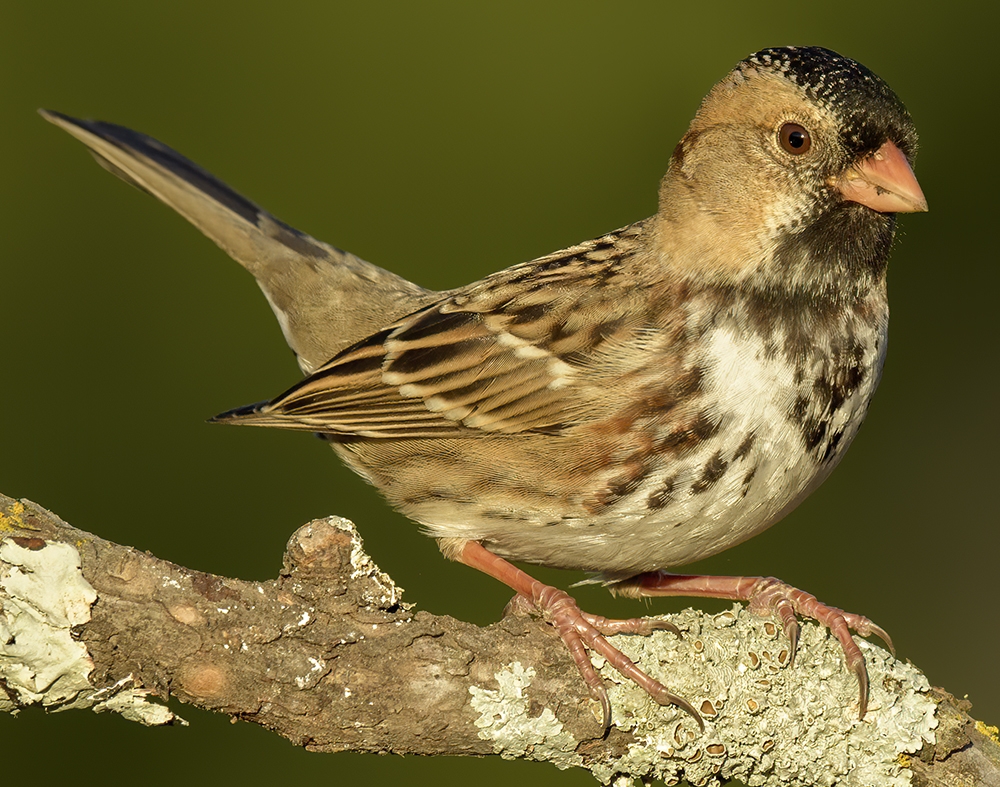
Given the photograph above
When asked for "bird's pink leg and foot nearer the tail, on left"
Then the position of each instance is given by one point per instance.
(579, 630)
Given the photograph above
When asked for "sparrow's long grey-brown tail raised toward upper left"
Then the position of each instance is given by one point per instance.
(324, 298)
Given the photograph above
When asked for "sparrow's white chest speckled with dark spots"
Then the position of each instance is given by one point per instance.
(782, 412)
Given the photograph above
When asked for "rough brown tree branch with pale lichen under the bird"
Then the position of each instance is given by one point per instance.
(328, 656)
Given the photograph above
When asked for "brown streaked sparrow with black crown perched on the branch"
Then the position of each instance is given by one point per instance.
(626, 405)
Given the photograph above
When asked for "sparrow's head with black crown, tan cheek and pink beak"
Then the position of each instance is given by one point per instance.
(791, 174)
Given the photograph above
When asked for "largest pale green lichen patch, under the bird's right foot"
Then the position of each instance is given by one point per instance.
(766, 723)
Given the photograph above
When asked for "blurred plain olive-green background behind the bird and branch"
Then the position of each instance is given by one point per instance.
(446, 140)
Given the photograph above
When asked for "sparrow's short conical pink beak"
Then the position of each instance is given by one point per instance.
(884, 182)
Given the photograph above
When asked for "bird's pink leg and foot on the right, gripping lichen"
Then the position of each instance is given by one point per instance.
(767, 596)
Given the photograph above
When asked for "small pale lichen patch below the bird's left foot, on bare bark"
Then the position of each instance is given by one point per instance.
(504, 719)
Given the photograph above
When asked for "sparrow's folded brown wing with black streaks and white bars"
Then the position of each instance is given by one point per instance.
(502, 356)
